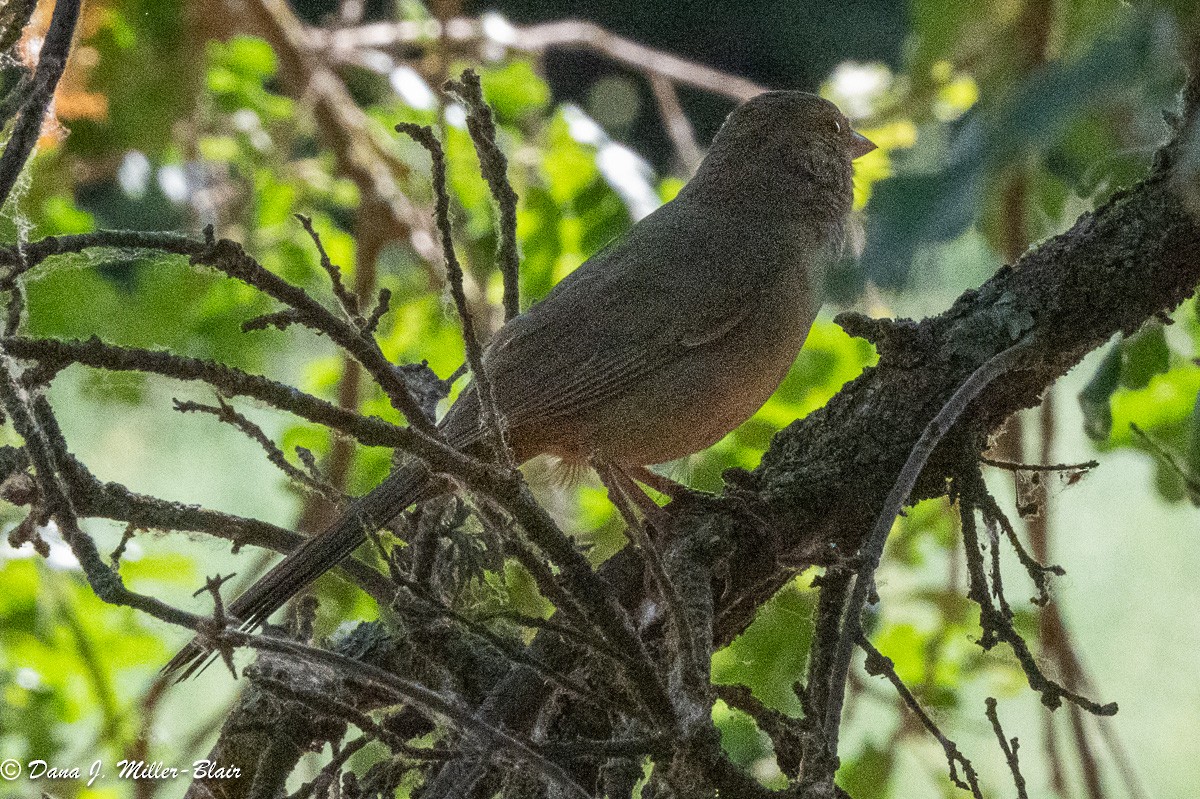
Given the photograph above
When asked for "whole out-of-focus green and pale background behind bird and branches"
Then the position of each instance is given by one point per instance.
(998, 125)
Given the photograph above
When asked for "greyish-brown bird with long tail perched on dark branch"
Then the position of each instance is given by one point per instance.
(658, 345)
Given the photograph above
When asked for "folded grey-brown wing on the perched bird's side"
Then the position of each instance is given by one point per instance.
(616, 320)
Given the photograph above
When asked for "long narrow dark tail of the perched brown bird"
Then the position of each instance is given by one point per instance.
(311, 560)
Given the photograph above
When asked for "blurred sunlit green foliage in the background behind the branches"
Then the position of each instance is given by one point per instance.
(218, 140)
